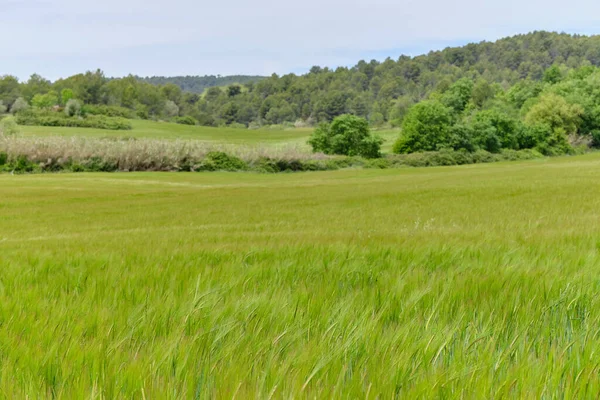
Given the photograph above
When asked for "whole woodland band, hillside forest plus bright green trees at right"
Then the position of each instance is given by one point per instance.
(526, 91)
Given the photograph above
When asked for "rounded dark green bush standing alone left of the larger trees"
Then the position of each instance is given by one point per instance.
(347, 135)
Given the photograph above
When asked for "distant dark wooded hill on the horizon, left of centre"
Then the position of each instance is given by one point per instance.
(197, 84)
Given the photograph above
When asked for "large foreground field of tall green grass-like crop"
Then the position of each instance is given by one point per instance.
(479, 281)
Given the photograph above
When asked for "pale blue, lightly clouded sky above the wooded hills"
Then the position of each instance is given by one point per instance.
(59, 38)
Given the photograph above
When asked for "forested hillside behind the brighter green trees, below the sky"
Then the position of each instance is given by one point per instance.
(382, 92)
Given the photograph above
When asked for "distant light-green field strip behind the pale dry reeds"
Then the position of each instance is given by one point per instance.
(164, 130)
